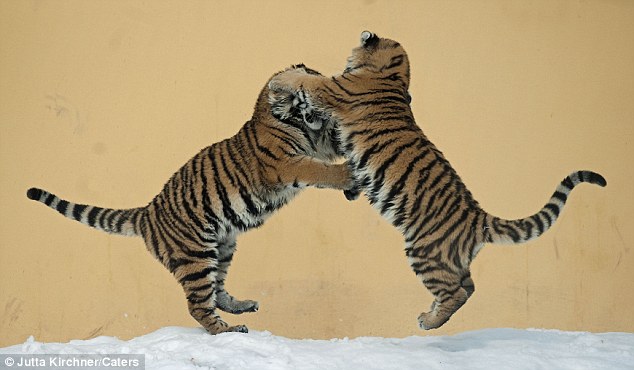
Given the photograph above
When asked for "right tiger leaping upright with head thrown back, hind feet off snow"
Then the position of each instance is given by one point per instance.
(406, 178)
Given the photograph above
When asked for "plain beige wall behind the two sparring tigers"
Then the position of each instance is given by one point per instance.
(101, 101)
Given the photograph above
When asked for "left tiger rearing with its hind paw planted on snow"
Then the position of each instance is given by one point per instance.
(226, 189)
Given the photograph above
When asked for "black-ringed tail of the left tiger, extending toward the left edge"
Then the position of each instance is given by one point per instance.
(115, 221)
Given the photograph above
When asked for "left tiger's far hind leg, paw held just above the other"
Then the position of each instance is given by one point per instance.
(225, 301)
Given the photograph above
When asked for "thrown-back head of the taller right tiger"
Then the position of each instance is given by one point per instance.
(381, 56)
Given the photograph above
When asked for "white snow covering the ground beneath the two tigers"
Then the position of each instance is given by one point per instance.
(193, 348)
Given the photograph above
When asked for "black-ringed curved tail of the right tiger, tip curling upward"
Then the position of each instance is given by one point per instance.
(518, 231)
